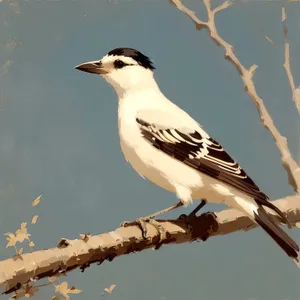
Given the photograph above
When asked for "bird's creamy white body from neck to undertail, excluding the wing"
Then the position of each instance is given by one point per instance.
(158, 167)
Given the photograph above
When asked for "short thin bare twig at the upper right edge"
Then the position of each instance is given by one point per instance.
(287, 63)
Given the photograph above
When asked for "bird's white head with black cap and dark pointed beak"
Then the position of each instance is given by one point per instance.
(124, 68)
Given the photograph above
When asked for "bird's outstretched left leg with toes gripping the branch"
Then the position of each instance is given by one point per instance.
(141, 222)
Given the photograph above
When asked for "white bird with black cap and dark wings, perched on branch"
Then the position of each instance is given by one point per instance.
(165, 145)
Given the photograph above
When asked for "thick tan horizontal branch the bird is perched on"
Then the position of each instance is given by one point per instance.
(80, 253)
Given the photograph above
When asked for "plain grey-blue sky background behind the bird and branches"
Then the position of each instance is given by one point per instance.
(59, 138)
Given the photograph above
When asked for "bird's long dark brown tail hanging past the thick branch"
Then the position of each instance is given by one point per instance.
(265, 221)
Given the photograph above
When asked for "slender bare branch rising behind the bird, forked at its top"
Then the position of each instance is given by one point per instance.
(290, 165)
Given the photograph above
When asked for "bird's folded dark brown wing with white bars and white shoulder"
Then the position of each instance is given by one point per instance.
(190, 144)
